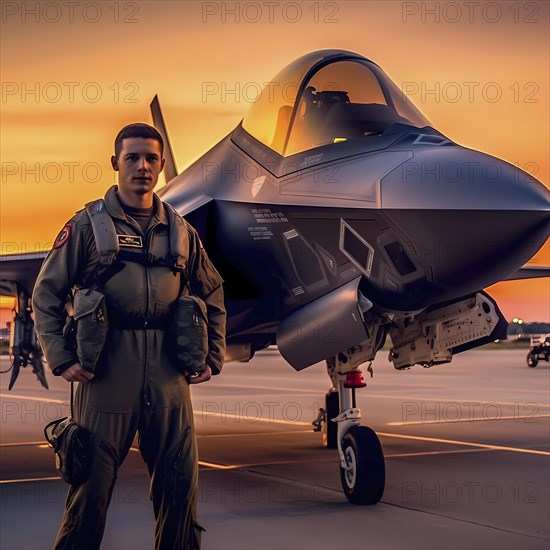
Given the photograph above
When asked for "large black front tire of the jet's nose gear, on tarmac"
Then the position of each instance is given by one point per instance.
(364, 476)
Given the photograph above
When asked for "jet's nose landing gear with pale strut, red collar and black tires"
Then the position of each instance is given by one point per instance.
(362, 468)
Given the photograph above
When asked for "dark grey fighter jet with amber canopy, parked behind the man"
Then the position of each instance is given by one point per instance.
(338, 216)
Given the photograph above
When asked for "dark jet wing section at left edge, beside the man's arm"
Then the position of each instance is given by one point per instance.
(21, 269)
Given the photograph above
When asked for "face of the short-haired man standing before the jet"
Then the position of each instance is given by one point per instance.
(139, 164)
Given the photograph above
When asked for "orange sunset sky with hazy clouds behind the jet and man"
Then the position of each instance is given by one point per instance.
(72, 76)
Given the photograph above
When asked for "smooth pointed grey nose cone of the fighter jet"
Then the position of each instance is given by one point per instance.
(472, 219)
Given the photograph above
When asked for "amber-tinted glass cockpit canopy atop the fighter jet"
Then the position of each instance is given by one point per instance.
(341, 96)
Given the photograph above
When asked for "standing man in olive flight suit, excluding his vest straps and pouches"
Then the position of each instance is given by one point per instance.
(135, 385)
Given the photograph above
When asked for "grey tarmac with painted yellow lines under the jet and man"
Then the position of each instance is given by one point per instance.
(467, 449)
